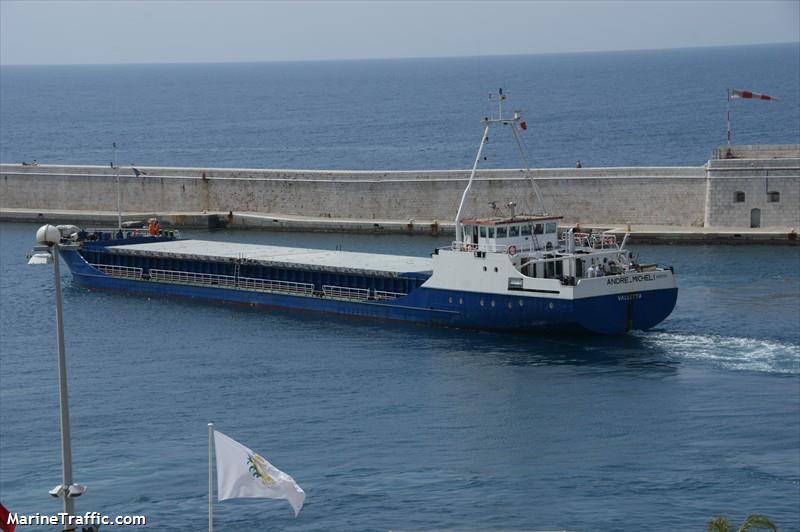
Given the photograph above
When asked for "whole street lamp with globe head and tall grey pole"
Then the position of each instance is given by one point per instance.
(47, 252)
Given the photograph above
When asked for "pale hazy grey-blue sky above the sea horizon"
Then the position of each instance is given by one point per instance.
(150, 31)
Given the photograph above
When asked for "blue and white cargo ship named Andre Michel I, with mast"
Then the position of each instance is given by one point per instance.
(509, 272)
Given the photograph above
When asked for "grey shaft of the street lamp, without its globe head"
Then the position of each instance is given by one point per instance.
(66, 448)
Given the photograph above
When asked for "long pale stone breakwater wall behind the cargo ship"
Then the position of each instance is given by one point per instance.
(707, 195)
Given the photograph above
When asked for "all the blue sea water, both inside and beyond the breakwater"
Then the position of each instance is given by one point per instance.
(392, 426)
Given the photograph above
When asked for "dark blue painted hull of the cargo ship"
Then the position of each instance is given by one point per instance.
(437, 307)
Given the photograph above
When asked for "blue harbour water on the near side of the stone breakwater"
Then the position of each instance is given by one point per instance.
(391, 426)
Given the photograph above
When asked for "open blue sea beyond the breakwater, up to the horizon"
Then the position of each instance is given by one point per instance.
(606, 109)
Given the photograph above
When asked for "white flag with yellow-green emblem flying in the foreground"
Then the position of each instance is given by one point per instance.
(243, 473)
